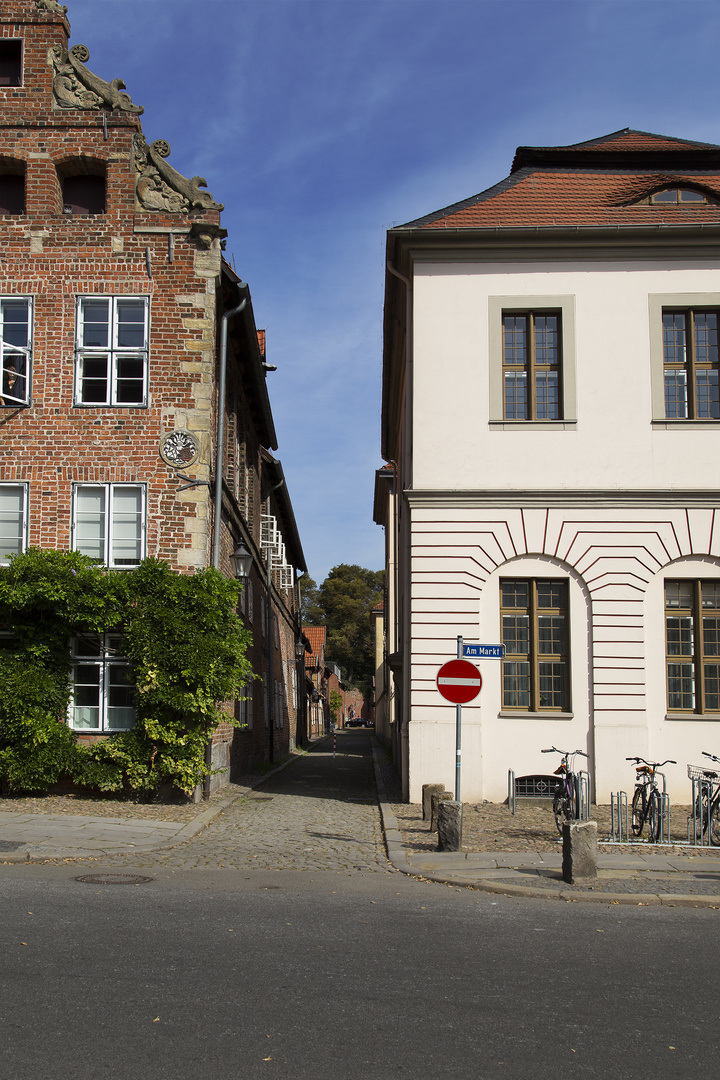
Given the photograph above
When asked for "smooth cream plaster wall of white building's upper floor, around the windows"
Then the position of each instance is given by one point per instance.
(612, 442)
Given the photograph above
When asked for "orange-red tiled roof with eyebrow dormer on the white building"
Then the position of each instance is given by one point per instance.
(582, 185)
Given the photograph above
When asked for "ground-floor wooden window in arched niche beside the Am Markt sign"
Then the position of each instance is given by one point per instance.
(534, 615)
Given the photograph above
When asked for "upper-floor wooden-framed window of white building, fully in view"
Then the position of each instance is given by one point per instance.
(533, 366)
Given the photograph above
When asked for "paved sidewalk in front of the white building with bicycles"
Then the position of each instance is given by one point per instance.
(631, 877)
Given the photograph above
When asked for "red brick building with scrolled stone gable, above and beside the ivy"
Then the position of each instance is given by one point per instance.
(115, 302)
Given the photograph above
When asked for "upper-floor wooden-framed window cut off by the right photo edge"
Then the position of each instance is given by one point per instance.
(690, 363)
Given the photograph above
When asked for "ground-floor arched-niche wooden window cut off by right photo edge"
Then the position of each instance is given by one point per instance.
(692, 646)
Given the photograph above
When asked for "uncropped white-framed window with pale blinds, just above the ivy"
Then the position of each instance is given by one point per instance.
(108, 523)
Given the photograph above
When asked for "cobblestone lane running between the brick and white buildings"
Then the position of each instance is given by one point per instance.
(320, 814)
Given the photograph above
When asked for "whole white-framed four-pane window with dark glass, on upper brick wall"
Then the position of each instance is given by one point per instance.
(112, 350)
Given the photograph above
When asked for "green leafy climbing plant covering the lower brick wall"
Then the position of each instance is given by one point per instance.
(186, 647)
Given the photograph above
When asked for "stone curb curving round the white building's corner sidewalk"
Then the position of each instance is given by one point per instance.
(399, 859)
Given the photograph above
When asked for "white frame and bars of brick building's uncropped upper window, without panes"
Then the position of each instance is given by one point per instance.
(113, 354)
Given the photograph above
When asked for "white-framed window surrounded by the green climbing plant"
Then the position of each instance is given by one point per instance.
(102, 688)
